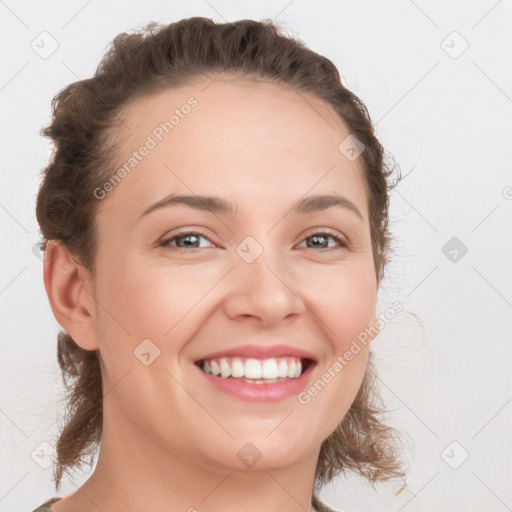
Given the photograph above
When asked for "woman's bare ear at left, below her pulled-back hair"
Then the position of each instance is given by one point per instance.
(69, 288)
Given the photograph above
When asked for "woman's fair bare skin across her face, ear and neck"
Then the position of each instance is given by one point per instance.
(169, 438)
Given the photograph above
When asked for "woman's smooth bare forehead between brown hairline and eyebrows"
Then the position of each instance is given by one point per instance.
(235, 138)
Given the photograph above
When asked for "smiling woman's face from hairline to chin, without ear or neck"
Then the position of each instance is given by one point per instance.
(262, 277)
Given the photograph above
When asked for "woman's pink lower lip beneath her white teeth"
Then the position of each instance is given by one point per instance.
(259, 392)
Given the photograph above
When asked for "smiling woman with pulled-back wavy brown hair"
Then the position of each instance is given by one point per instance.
(214, 220)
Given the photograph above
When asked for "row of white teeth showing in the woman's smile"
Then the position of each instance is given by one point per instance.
(260, 371)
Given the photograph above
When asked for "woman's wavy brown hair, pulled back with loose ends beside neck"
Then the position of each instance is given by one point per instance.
(83, 127)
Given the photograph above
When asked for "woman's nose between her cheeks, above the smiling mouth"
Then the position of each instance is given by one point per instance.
(263, 291)
